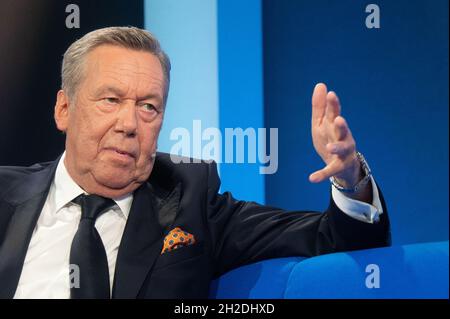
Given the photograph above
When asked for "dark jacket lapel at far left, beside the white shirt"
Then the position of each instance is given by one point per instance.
(26, 201)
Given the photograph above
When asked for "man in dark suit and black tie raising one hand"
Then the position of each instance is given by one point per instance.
(113, 218)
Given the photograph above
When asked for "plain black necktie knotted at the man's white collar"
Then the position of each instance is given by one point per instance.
(87, 251)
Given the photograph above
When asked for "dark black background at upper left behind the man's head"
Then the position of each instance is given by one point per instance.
(33, 39)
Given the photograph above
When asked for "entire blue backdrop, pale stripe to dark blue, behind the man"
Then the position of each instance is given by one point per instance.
(254, 63)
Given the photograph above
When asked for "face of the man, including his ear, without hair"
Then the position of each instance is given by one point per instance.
(113, 125)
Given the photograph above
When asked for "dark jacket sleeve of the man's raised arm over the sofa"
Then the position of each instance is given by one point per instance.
(246, 232)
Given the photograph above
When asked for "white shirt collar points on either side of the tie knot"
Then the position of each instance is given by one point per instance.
(66, 190)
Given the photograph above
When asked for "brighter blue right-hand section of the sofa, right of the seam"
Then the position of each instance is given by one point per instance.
(409, 271)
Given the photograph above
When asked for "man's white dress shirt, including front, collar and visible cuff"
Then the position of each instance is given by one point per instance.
(45, 272)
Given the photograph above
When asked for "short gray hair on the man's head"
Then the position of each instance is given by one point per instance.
(126, 37)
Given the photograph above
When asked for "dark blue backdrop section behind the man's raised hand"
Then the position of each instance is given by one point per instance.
(393, 86)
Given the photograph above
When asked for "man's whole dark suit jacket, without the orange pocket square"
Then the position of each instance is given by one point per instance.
(229, 233)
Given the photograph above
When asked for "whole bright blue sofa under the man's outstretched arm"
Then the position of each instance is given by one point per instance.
(409, 271)
